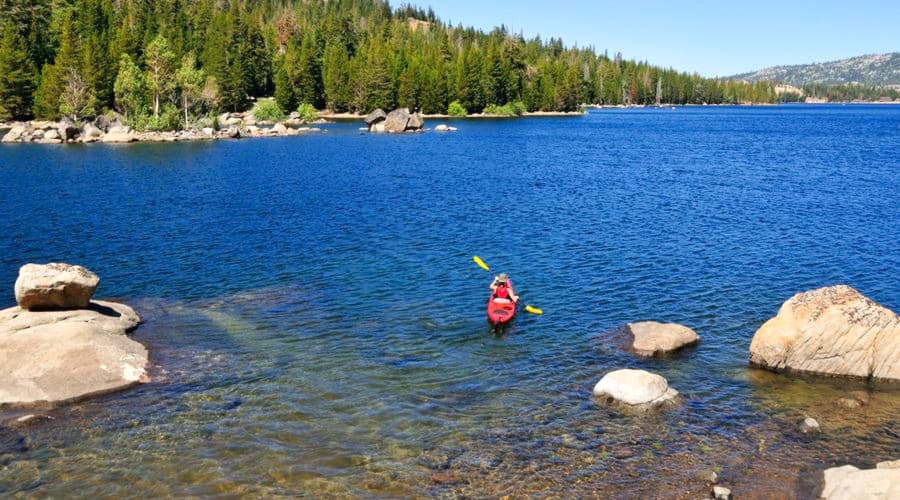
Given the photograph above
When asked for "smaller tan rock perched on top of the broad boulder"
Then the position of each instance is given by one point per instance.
(54, 285)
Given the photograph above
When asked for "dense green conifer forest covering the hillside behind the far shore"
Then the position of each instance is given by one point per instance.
(167, 64)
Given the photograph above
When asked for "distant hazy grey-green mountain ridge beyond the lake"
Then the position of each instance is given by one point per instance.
(873, 69)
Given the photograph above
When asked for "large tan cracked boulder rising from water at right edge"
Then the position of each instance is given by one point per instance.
(833, 331)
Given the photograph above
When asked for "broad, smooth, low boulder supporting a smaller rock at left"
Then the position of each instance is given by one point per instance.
(58, 356)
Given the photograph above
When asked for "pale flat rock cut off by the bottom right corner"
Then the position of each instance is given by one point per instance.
(850, 483)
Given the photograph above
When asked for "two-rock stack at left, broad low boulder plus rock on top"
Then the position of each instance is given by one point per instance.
(58, 345)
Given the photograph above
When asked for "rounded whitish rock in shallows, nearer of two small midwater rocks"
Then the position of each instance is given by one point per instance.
(635, 388)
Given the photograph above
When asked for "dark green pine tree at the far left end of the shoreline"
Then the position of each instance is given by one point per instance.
(17, 76)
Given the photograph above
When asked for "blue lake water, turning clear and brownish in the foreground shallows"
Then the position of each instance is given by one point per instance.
(317, 324)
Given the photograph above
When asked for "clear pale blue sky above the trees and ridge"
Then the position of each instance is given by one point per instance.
(709, 37)
